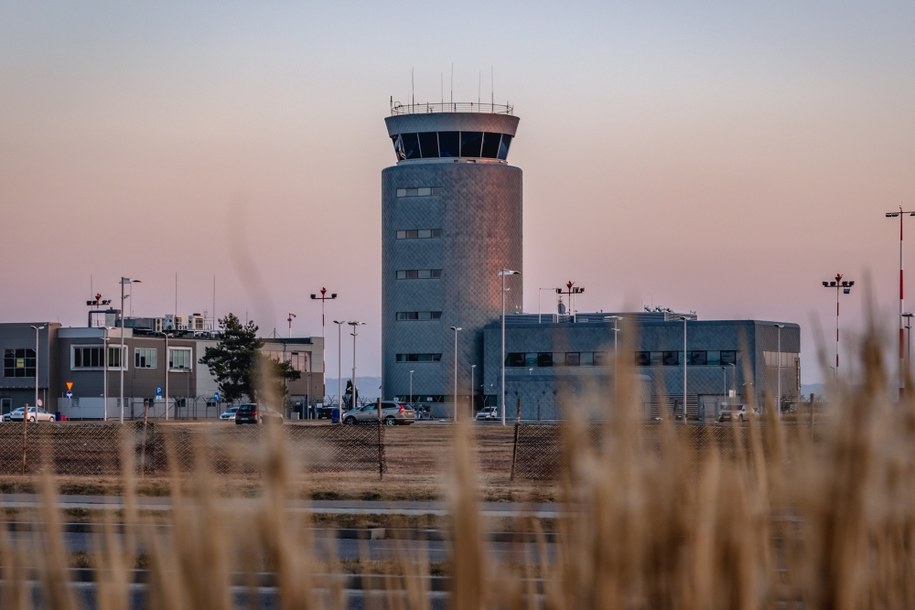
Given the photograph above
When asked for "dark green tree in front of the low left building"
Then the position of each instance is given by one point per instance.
(239, 367)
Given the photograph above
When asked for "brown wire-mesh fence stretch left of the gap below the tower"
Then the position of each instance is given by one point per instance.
(98, 449)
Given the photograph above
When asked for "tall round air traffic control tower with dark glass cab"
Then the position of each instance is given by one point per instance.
(451, 218)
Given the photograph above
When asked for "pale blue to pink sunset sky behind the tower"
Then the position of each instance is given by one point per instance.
(718, 157)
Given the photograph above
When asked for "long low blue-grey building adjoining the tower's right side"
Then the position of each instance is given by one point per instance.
(560, 365)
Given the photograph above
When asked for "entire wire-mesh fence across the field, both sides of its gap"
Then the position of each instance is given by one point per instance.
(537, 451)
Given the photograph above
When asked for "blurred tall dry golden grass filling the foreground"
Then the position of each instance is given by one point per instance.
(651, 522)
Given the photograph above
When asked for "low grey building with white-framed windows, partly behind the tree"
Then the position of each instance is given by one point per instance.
(79, 372)
